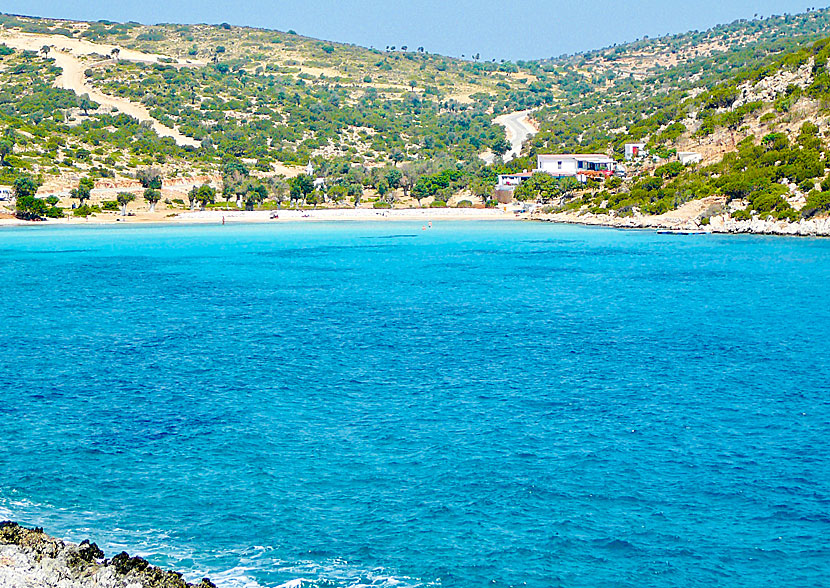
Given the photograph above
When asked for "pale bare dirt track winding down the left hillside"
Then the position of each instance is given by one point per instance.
(65, 51)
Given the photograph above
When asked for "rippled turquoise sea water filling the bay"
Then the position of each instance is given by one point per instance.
(491, 404)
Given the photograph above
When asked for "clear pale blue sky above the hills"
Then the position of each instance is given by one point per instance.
(522, 29)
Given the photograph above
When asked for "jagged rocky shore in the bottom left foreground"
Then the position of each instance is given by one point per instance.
(29, 558)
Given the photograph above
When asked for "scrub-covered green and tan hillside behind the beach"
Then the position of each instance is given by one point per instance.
(105, 100)
